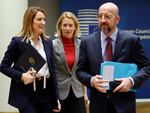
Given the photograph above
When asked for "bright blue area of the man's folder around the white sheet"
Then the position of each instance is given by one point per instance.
(121, 70)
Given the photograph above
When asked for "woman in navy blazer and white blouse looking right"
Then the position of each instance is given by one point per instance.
(42, 97)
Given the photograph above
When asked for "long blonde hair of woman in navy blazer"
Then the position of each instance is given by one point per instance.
(27, 30)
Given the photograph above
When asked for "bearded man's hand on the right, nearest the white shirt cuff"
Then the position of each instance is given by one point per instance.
(125, 85)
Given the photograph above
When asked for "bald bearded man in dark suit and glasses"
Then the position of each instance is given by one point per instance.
(126, 48)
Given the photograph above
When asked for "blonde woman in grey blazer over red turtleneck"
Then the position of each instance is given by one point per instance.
(66, 49)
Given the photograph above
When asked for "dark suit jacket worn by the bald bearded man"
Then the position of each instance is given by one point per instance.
(127, 50)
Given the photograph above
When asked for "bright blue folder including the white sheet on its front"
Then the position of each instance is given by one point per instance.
(120, 70)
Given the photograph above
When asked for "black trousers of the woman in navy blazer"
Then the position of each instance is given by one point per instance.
(39, 101)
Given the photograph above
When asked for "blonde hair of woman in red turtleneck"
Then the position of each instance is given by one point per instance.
(68, 15)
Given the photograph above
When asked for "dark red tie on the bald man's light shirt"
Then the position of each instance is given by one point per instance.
(108, 49)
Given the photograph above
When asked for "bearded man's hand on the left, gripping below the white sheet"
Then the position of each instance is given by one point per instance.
(97, 82)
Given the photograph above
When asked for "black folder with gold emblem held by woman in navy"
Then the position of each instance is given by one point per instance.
(30, 58)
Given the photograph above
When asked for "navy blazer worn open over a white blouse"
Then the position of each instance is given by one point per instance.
(20, 93)
